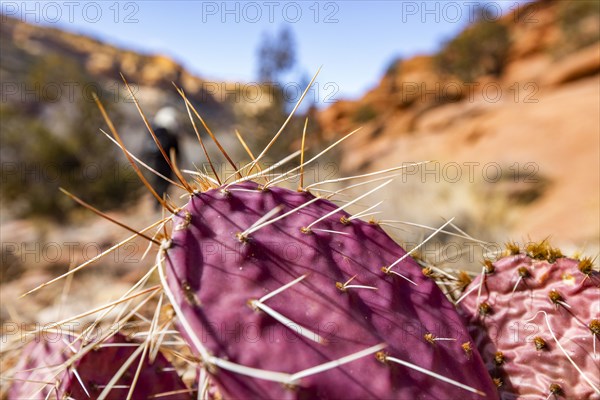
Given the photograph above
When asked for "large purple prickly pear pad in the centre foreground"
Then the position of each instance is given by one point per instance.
(282, 295)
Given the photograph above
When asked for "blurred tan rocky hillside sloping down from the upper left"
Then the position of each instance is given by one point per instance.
(41, 65)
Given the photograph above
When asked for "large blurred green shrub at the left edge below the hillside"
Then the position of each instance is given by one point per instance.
(52, 140)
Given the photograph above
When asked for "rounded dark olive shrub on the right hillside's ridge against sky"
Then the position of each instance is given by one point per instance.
(479, 50)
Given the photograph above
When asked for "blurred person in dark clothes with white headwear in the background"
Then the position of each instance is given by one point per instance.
(166, 128)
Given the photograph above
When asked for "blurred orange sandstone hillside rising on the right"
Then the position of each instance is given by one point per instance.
(514, 132)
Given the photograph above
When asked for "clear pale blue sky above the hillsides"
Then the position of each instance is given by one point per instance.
(354, 41)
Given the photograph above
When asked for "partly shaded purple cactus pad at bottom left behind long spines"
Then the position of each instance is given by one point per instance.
(56, 368)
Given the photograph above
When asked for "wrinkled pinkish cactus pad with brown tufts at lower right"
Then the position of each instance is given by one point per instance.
(535, 318)
